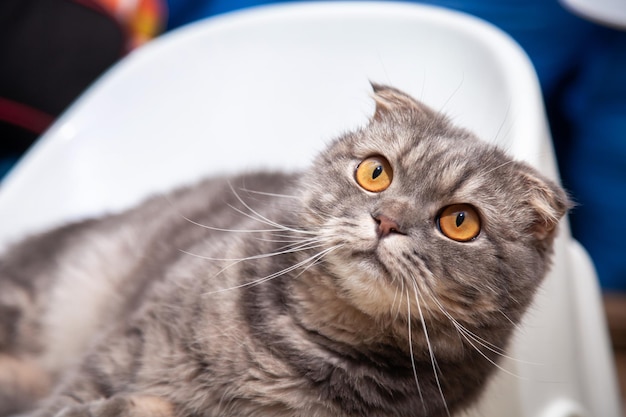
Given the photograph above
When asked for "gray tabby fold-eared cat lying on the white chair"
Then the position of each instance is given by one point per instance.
(385, 280)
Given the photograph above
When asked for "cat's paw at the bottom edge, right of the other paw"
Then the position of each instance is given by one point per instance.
(135, 406)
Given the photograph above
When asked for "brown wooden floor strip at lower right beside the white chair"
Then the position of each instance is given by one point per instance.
(615, 306)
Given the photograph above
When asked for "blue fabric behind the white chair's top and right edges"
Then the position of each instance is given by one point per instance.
(582, 71)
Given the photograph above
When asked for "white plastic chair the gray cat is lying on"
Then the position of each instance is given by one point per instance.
(267, 88)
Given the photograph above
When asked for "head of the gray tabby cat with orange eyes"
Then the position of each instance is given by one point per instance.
(425, 216)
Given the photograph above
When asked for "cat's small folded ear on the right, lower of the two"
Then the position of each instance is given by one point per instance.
(549, 203)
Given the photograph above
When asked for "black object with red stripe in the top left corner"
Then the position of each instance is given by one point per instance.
(50, 51)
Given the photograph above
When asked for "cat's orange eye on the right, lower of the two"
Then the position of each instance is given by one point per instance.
(459, 222)
